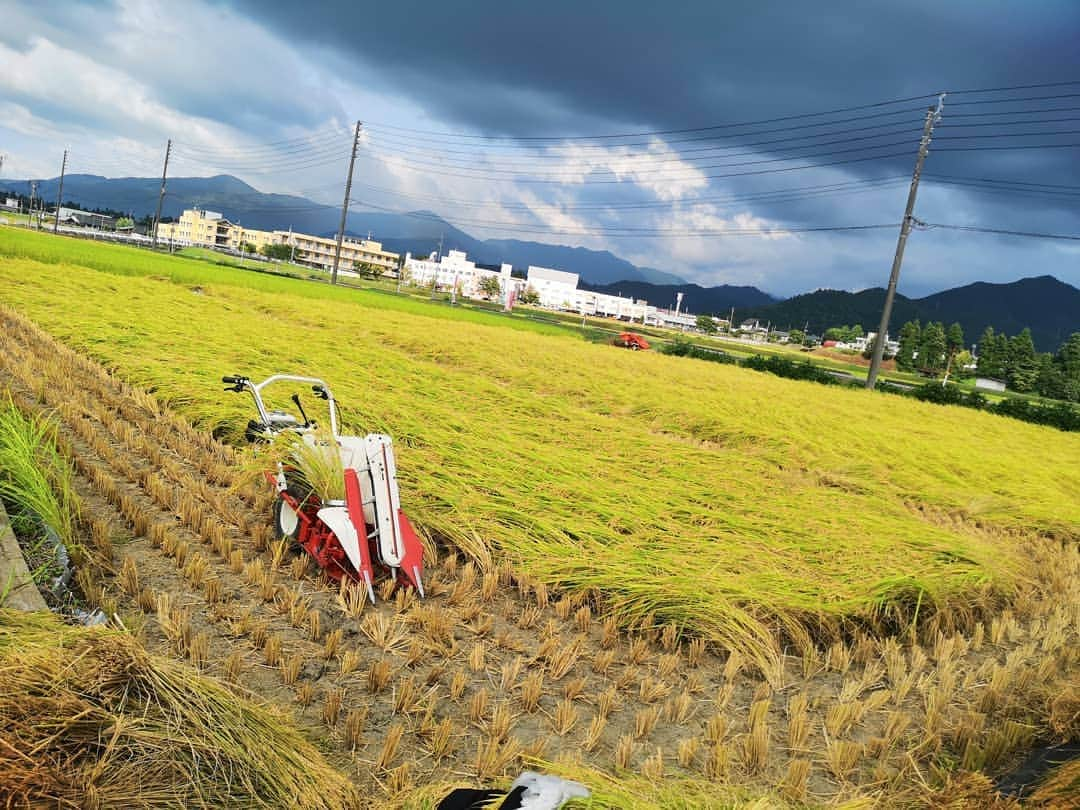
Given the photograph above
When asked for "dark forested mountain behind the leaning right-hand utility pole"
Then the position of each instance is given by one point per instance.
(1049, 307)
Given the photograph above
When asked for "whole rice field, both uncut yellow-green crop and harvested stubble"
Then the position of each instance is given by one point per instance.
(794, 647)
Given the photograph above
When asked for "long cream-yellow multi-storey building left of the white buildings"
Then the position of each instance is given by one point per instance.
(210, 229)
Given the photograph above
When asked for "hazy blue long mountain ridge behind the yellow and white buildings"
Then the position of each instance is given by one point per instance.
(420, 233)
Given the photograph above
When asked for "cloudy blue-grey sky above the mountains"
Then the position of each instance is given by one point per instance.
(712, 140)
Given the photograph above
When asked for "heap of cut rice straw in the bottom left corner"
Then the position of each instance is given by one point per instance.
(89, 719)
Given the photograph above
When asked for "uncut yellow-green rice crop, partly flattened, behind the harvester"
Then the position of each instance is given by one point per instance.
(731, 504)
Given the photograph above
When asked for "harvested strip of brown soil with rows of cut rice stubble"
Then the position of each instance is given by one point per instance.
(489, 671)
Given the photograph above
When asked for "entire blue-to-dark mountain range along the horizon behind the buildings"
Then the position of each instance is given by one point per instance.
(1049, 307)
